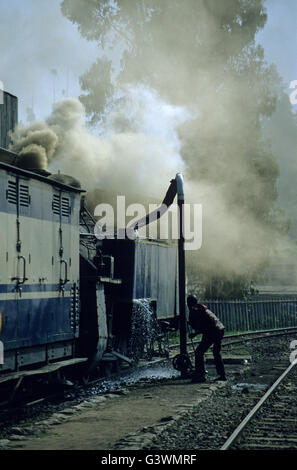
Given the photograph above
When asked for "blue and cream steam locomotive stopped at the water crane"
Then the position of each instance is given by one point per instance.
(67, 299)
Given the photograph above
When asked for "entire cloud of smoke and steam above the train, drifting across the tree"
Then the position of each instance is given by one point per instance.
(201, 114)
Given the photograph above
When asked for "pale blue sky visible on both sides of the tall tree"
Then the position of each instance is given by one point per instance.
(44, 54)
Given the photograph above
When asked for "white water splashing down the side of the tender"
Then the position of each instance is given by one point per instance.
(144, 330)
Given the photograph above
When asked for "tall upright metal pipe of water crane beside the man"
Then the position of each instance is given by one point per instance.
(181, 266)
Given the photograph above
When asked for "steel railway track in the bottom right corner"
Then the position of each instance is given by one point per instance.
(271, 424)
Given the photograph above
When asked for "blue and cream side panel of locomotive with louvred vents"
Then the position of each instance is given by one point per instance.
(40, 256)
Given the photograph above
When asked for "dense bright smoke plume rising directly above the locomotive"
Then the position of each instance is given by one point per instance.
(138, 148)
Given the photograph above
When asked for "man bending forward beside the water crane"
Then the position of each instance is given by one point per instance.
(202, 320)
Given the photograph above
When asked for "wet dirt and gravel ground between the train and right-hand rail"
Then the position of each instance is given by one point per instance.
(154, 408)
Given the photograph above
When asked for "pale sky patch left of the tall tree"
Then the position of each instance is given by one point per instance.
(44, 54)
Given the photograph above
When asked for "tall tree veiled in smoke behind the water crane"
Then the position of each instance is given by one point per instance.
(201, 54)
